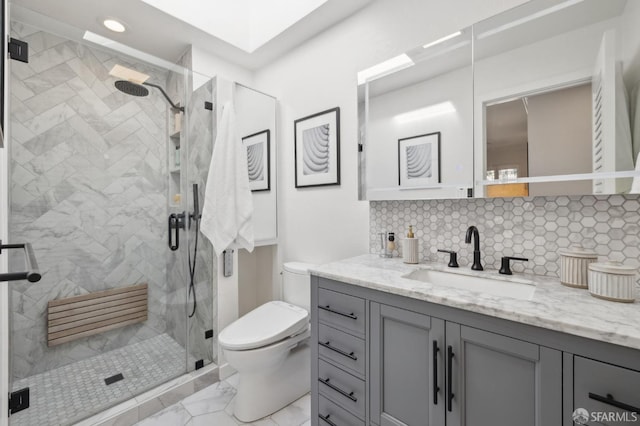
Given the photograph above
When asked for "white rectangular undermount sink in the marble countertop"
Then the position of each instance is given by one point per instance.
(515, 288)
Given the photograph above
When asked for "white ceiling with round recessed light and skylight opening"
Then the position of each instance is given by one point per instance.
(158, 33)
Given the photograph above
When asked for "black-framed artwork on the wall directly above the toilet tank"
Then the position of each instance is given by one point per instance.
(320, 129)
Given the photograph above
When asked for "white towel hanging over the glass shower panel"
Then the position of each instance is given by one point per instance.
(228, 203)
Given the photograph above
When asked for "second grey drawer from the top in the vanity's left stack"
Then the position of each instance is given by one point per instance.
(341, 348)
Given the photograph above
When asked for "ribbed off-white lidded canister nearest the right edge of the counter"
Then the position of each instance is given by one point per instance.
(613, 281)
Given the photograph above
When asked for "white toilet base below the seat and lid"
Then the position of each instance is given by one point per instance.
(262, 393)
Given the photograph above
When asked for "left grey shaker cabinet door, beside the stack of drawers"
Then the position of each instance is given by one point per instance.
(406, 348)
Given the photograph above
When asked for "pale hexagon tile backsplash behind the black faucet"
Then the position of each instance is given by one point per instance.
(535, 228)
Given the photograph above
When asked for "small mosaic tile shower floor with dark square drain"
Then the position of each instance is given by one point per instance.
(70, 393)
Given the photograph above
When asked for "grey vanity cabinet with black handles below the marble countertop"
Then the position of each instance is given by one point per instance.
(380, 359)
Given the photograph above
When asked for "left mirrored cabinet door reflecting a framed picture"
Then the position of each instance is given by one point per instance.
(416, 124)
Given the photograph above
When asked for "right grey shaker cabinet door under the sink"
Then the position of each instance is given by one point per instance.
(501, 381)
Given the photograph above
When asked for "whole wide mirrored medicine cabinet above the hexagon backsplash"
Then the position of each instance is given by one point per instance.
(539, 100)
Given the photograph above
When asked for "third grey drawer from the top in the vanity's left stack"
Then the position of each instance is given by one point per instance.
(341, 387)
